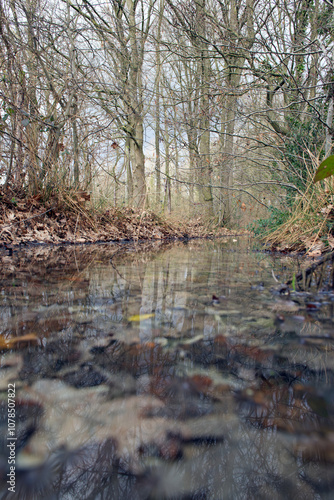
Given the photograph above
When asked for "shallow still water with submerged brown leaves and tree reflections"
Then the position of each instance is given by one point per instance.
(164, 372)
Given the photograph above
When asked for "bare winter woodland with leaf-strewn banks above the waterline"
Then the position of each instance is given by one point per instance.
(211, 111)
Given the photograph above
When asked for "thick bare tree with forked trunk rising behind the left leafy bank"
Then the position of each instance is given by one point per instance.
(123, 28)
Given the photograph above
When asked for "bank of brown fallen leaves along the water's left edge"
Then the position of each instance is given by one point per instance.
(29, 220)
